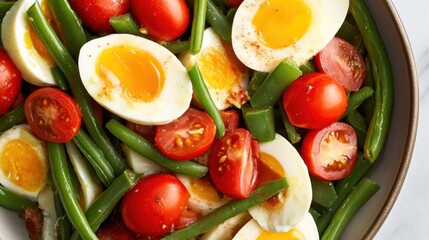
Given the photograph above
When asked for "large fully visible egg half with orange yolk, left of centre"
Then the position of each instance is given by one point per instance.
(135, 78)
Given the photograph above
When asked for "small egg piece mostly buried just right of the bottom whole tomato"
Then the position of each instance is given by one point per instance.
(204, 198)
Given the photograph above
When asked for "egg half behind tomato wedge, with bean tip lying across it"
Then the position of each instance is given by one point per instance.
(280, 159)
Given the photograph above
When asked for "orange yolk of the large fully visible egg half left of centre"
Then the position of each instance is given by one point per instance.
(141, 76)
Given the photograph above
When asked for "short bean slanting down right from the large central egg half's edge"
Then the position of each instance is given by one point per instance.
(203, 95)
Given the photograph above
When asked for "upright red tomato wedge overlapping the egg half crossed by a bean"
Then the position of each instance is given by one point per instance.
(233, 163)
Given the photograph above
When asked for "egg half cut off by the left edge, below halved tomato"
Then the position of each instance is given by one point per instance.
(23, 161)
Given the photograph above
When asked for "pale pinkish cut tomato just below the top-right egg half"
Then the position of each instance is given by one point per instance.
(343, 62)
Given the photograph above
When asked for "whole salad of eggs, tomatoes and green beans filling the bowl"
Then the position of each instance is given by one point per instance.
(198, 119)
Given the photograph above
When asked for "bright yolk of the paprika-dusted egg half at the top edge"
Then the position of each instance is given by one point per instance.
(281, 23)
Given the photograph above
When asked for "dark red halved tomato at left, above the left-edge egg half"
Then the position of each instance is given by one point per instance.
(52, 115)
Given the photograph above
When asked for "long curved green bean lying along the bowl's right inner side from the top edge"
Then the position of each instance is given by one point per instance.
(383, 77)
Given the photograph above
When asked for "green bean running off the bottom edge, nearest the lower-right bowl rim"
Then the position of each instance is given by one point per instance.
(354, 201)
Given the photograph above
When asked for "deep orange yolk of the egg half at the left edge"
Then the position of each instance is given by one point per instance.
(21, 164)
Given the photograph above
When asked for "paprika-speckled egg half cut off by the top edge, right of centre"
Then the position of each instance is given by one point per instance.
(266, 32)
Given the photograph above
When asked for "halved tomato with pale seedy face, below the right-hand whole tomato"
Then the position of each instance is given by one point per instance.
(330, 153)
